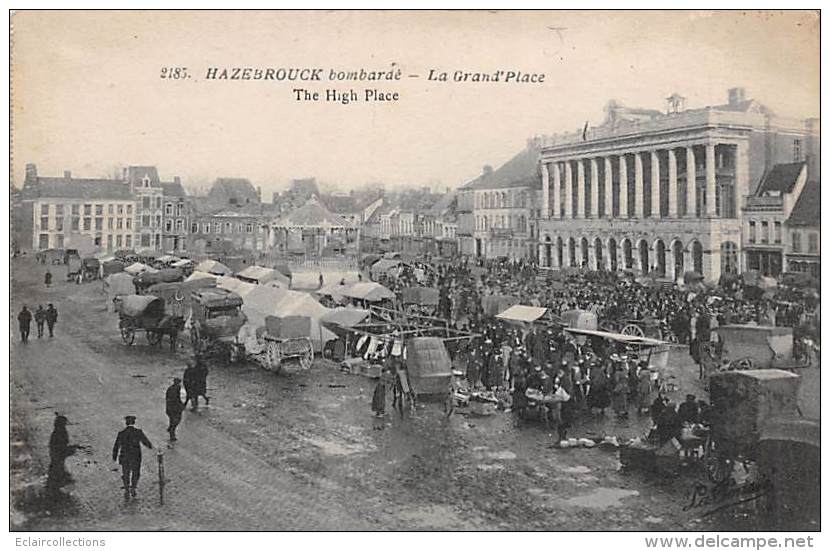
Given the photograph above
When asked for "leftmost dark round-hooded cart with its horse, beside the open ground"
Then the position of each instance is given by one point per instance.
(138, 313)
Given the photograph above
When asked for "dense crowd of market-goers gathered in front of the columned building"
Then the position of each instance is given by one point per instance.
(542, 371)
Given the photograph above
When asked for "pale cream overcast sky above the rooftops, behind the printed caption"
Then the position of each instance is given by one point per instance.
(88, 97)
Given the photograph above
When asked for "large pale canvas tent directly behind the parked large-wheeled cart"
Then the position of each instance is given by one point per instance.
(263, 301)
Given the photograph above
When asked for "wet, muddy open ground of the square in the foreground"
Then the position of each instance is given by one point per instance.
(301, 451)
